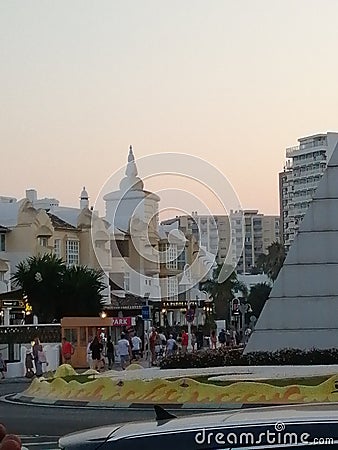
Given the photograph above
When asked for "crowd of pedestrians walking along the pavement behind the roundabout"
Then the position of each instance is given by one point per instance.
(152, 347)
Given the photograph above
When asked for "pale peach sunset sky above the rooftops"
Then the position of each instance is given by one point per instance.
(233, 82)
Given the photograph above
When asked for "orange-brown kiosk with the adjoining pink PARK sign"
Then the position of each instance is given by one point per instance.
(81, 330)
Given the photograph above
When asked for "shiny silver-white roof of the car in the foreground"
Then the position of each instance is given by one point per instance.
(233, 418)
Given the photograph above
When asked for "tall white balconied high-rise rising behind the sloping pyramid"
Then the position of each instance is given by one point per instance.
(305, 164)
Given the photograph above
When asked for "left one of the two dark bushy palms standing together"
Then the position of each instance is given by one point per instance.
(40, 278)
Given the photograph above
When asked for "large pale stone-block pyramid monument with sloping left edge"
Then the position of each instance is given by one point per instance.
(302, 310)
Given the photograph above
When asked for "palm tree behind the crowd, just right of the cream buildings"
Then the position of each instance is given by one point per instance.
(222, 293)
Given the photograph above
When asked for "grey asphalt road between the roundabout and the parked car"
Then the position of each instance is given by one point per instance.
(41, 426)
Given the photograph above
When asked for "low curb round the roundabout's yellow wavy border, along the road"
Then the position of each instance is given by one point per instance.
(24, 399)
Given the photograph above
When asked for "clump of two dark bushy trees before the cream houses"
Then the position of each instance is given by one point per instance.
(55, 290)
